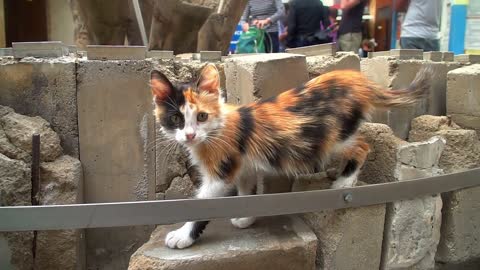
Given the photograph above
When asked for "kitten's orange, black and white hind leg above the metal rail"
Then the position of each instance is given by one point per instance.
(355, 153)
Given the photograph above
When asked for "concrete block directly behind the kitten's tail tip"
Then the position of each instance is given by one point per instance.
(398, 74)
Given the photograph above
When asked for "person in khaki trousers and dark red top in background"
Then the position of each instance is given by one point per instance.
(350, 30)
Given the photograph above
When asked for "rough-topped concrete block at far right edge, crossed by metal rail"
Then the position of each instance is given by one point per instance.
(459, 246)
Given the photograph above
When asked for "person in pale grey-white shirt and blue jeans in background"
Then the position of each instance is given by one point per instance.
(421, 25)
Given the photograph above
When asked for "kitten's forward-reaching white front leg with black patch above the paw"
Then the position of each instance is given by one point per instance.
(191, 231)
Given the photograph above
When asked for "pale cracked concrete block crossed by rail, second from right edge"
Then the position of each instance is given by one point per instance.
(412, 227)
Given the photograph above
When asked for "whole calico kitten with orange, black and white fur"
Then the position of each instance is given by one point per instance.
(291, 133)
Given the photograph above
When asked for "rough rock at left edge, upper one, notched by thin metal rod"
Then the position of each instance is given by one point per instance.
(18, 129)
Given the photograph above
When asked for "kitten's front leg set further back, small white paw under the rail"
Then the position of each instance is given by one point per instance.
(246, 185)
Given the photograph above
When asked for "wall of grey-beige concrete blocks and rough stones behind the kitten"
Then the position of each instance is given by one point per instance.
(125, 158)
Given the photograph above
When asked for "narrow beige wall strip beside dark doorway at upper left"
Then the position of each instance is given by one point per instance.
(60, 21)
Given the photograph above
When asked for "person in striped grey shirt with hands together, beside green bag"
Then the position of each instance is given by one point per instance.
(264, 14)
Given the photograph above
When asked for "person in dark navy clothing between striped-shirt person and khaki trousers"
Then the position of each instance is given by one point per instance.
(304, 20)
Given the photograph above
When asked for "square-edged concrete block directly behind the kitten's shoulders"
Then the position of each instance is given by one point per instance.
(251, 78)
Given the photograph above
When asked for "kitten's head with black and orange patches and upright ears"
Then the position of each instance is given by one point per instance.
(188, 113)
